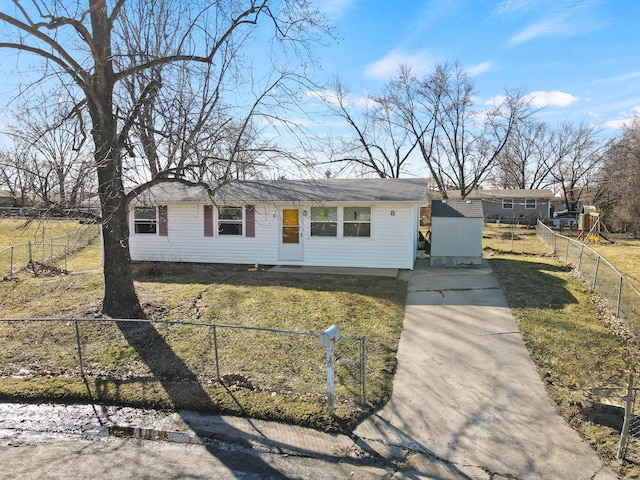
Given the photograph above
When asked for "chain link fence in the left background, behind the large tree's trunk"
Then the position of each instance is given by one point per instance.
(42, 250)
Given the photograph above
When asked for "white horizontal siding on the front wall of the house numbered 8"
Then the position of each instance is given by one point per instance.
(391, 244)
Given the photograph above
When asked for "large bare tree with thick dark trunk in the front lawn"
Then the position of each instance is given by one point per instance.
(81, 43)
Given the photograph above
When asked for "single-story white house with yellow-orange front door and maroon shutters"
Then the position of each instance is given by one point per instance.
(328, 222)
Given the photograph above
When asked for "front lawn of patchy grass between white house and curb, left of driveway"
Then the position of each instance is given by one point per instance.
(266, 374)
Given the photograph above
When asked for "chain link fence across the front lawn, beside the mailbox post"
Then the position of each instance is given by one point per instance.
(174, 364)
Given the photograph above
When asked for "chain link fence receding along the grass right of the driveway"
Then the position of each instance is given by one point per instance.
(621, 295)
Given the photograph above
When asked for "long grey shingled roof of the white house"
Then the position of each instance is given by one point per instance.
(411, 190)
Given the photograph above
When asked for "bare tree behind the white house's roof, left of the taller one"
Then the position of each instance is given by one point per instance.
(376, 143)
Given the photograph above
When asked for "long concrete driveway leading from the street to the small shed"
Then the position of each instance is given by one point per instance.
(466, 390)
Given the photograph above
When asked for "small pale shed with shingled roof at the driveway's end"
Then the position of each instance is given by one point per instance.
(456, 232)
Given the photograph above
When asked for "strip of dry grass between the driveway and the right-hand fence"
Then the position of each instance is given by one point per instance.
(582, 352)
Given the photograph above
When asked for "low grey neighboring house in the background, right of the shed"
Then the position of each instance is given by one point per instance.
(511, 205)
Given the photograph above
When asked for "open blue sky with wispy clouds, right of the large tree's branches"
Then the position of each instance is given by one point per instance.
(580, 60)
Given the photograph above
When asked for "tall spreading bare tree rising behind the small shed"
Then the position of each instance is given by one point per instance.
(458, 142)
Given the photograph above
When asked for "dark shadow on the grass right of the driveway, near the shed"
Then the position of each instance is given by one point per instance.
(529, 284)
